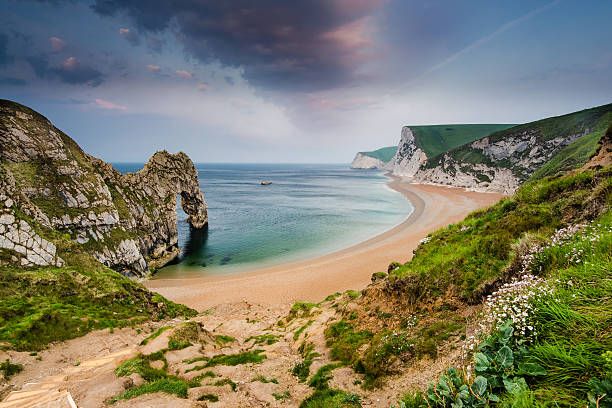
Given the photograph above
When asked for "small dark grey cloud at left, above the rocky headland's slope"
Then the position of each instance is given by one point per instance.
(71, 71)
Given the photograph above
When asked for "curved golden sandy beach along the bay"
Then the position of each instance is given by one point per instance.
(351, 268)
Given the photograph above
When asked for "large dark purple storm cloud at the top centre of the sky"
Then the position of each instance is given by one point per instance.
(301, 43)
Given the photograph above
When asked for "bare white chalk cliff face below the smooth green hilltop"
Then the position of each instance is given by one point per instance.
(501, 161)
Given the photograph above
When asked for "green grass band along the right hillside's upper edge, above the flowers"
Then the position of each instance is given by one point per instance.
(471, 256)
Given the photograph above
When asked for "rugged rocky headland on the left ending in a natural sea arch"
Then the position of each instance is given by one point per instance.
(127, 222)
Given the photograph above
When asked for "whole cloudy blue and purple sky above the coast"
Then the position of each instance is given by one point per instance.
(310, 81)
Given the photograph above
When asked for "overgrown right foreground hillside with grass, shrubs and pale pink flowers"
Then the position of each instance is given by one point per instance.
(499, 291)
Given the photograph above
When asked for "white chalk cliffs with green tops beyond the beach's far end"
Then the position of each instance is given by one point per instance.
(497, 157)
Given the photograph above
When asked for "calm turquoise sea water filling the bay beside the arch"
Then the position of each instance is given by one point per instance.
(309, 210)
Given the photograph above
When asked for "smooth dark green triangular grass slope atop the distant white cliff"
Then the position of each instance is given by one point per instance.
(436, 139)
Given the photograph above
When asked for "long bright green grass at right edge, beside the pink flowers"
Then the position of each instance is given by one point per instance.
(583, 309)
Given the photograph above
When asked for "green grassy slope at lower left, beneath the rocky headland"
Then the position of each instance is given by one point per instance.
(44, 305)
